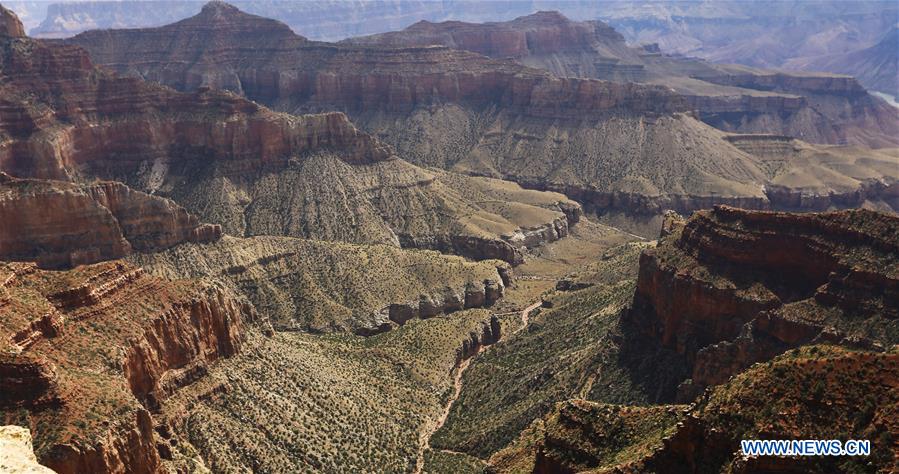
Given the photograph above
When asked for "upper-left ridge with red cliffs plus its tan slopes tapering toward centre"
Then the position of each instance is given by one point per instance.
(232, 162)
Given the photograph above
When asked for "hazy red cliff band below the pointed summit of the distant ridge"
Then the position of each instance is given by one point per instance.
(290, 73)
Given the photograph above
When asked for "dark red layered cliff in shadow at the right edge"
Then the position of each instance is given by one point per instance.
(729, 287)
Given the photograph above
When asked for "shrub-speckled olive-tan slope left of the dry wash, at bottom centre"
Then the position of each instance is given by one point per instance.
(300, 403)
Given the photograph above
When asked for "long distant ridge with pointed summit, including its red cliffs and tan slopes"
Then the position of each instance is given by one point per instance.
(614, 146)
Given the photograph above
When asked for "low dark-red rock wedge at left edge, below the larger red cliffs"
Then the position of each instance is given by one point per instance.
(60, 224)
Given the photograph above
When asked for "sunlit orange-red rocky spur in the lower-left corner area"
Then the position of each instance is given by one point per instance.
(145, 336)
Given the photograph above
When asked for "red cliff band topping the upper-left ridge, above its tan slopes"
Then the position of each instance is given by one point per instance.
(80, 118)
